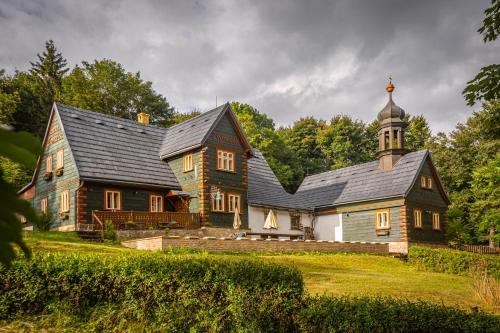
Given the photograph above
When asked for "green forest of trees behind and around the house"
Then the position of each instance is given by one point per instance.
(467, 158)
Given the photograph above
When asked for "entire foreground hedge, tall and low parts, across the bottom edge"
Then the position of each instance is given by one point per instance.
(163, 293)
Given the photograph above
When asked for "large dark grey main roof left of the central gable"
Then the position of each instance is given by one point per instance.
(115, 149)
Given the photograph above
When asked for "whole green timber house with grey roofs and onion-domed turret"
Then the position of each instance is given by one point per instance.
(97, 167)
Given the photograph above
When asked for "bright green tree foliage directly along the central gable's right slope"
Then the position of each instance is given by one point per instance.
(261, 133)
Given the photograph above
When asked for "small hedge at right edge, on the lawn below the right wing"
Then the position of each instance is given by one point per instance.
(454, 261)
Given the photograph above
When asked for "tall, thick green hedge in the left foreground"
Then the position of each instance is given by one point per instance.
(165, 292)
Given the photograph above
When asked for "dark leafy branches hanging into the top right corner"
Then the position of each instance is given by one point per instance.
(485, 85)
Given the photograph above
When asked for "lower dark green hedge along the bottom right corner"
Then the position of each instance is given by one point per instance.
(327, 314)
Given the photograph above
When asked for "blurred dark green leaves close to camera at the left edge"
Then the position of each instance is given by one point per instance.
(20, 147)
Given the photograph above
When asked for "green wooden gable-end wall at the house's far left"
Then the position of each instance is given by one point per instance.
(68, 181)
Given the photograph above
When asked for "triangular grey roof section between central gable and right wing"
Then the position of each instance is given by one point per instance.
(264, 188)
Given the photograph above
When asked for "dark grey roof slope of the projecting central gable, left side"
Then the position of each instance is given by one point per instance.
(191, 133)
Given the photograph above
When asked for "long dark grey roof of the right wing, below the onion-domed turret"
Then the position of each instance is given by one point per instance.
(361, 182)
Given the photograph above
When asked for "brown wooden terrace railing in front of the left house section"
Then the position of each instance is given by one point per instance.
(126, 220)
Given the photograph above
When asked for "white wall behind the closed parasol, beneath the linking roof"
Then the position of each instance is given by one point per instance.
(256, 221)
